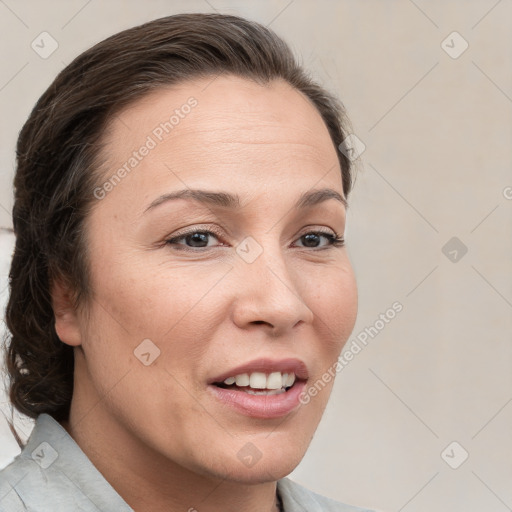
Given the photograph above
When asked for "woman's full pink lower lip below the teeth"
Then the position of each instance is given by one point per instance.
(260, 406)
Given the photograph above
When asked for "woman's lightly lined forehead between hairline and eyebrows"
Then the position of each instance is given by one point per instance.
(219, 131)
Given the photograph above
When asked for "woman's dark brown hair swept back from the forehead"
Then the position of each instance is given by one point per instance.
(57, 167)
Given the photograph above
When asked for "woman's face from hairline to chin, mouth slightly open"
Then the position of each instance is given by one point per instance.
(192, 291)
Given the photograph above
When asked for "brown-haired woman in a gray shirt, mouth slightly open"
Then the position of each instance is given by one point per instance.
(179, 282)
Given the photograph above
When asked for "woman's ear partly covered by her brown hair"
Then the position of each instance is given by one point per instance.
(67, 325)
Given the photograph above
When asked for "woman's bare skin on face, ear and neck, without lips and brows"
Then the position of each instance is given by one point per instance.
(155, 432)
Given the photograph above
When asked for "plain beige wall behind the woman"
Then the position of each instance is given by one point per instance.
(437, 165)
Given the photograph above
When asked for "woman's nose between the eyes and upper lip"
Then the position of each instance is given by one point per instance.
(268, 294)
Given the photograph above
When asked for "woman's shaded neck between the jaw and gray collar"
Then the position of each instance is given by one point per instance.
(146, 479)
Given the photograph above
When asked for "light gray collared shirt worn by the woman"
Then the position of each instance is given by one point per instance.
(52, 474)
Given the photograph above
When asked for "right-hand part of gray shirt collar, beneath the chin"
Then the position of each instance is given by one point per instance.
(297, 498)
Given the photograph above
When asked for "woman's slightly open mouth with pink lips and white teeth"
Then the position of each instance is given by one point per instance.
(262, 389)
